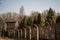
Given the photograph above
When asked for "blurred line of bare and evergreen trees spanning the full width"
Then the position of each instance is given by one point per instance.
(48, 17)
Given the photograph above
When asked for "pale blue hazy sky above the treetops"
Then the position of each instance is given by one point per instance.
(29, 5)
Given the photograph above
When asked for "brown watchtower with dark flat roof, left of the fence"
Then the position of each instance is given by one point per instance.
(10, 28)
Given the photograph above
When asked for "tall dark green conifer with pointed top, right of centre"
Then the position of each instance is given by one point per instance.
(50, 17)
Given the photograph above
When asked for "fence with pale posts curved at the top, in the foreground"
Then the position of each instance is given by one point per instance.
(33, 33)
